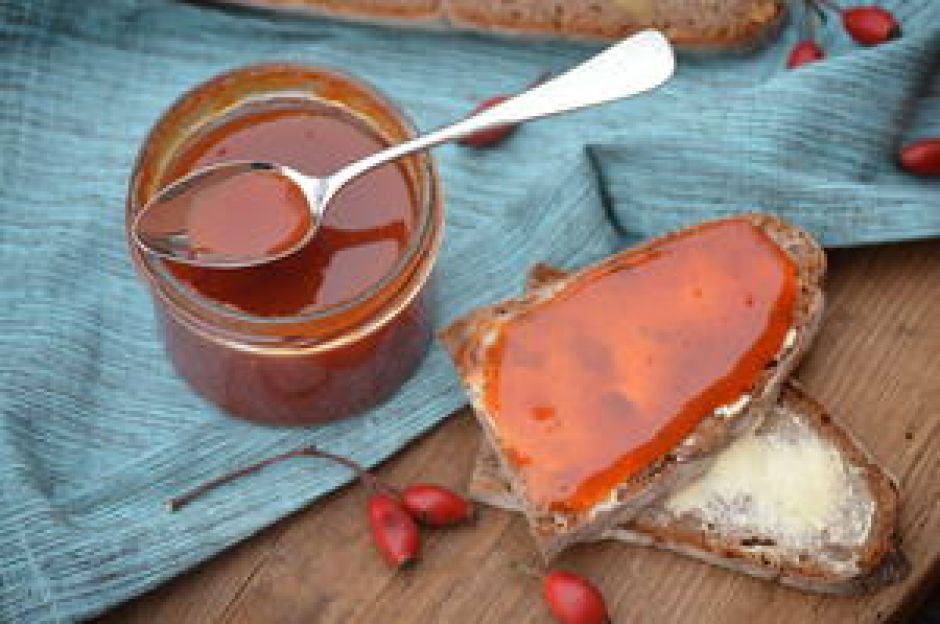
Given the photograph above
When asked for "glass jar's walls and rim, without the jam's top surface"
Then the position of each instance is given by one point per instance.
(313, 366)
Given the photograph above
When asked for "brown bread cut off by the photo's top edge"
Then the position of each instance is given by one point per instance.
(689, 24)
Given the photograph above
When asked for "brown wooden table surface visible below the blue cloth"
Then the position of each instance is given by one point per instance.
(876, 364)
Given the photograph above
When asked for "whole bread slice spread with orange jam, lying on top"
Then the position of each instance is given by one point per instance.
(597, 391)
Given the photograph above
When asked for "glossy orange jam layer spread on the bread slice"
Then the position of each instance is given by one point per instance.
(594, 385)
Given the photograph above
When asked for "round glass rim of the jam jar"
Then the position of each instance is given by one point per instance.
(425, 186)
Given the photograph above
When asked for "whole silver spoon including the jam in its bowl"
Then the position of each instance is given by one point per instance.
(176, 225)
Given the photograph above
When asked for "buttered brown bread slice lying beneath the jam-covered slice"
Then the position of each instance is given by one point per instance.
(798, 501)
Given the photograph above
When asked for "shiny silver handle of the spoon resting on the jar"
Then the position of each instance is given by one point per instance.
(635, 65)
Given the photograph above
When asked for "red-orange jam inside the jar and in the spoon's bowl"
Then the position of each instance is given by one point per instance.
(363, 235)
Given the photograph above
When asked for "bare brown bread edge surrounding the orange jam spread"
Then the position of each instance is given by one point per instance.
(470, 339)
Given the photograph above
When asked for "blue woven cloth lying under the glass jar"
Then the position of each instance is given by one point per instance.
(96, 429)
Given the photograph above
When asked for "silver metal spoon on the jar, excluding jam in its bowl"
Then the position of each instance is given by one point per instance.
(635, 65)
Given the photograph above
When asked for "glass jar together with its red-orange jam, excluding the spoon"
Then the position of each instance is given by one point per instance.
(338, 326)
